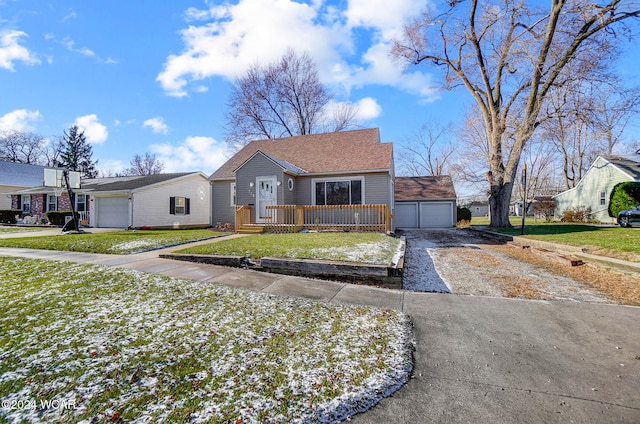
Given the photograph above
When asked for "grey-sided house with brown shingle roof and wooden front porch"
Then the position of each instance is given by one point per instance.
(333, 180)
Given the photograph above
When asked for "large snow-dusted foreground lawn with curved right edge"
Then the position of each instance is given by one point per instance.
(114, 345)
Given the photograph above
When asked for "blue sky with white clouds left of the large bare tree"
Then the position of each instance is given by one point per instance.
(154, 76)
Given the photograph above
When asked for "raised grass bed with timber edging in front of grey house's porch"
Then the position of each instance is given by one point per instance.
(348, 247)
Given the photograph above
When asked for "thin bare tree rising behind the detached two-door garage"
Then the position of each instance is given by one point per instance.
(428, 150)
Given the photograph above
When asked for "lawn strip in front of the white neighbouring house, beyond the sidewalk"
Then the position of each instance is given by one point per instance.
(117, 242)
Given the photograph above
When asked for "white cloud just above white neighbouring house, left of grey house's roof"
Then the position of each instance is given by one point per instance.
(194, 153)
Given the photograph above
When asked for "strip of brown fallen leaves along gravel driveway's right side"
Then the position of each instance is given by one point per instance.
(621, 288)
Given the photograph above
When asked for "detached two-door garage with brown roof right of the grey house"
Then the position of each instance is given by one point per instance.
(425, 202)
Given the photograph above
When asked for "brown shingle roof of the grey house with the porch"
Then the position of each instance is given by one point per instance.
(347, 151)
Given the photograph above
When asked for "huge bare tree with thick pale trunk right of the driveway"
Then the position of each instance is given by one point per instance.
(509, 55)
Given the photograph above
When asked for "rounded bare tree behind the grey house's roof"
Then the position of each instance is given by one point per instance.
(282, 99)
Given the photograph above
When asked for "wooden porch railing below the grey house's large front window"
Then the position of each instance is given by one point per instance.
(292, 218)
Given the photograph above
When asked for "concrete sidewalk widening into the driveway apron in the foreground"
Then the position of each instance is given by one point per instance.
(477, 359)
